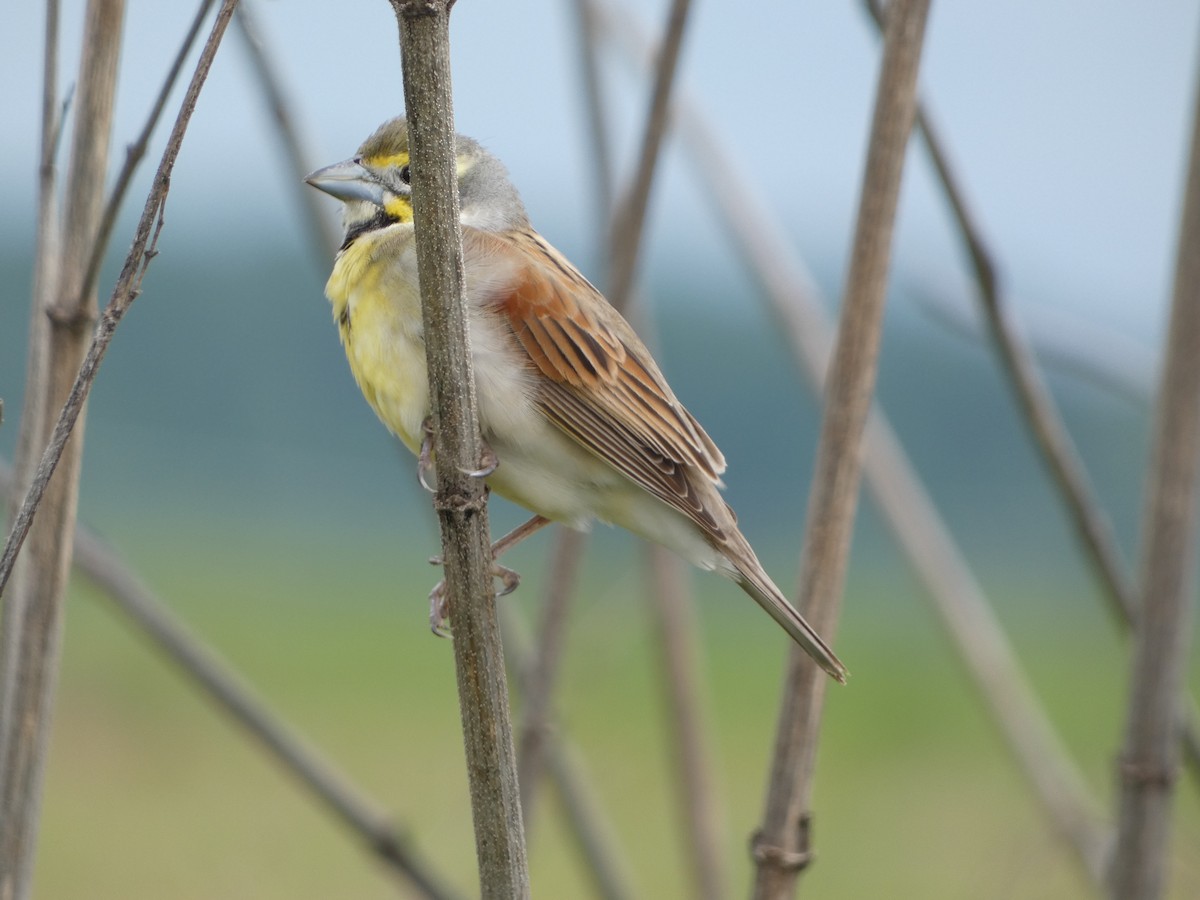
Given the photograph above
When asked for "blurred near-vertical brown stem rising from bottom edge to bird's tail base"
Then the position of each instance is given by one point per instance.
(691, 748)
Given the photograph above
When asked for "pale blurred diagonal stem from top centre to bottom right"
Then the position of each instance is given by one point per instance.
(797, 304)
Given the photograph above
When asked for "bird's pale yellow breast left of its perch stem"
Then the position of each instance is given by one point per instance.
(379, 314)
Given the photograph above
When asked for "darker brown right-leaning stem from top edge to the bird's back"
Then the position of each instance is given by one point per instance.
(629, 217)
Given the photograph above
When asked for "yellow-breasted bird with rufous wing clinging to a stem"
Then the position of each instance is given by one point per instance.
(578, 421)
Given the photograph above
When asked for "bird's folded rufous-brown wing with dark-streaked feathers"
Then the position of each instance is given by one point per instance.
(603, 388)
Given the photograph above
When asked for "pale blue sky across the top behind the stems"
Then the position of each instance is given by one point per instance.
(1069, 122)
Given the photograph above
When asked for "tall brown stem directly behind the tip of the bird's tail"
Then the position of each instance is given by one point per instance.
(782, 844)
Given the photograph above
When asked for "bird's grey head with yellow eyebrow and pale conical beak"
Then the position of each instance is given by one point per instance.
(375, 185)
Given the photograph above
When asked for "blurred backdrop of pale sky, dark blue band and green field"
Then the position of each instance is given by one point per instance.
(231, 459)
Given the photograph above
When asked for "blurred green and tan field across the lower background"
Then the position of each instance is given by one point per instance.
(153, 795)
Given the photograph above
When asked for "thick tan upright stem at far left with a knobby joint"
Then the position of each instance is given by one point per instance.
(33, 610)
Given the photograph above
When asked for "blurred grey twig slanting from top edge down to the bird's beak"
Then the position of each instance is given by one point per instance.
(322, 232)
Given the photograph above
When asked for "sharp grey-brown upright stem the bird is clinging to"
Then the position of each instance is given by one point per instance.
(461, 500)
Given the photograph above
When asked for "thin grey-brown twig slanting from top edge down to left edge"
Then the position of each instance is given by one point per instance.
(128, 289)
